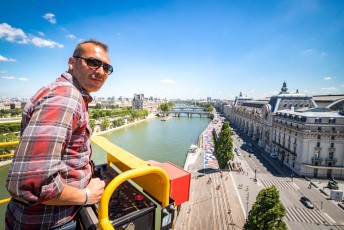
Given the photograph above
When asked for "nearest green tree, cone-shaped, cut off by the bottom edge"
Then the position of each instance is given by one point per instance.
(267, 212)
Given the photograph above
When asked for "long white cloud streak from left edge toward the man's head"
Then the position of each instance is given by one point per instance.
(17, 35)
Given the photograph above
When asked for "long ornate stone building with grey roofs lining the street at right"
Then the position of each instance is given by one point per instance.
(306, 137)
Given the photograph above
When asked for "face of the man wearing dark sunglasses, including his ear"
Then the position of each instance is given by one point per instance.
(90, 79)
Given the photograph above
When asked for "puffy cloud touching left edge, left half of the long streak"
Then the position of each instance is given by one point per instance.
(13, 34)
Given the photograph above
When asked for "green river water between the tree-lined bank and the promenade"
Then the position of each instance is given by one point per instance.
(149, 140)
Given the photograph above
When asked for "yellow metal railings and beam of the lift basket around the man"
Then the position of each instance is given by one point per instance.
(152, 179)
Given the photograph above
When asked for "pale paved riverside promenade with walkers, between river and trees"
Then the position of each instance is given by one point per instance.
(214, 202)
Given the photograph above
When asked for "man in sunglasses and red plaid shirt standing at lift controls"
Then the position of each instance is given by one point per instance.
(51, 174)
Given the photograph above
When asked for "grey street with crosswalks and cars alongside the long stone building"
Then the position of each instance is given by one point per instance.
(268, 171)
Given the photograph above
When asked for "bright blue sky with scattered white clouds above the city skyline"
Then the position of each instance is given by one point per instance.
(178, 49)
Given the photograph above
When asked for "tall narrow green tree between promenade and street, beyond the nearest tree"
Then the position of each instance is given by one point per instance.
(224, 146)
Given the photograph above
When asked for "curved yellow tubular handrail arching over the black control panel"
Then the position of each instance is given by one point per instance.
(103, 210)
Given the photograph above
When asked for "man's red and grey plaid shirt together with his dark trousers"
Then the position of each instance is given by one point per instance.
(54, 150)
